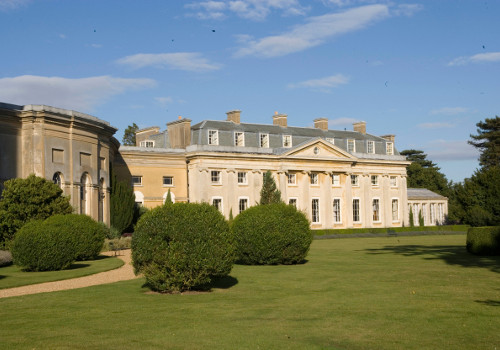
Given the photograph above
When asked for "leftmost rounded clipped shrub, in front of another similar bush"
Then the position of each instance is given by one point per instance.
(41, 247)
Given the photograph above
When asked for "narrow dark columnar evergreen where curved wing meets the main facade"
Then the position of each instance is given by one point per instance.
(122, 202)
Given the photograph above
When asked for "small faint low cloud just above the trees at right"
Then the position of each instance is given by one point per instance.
(451, 150)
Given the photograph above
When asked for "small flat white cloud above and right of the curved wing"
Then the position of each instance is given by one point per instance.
(189, 61)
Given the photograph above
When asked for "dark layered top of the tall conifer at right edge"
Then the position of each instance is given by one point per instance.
(488, 142)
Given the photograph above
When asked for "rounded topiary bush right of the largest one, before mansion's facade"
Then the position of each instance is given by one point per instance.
(271, 234)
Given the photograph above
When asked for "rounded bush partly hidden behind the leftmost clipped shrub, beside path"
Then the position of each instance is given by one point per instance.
(88, 234)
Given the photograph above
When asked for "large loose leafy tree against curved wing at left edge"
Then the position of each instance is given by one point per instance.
(33, 198)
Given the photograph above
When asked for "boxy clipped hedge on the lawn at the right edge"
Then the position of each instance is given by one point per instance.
(483, 240)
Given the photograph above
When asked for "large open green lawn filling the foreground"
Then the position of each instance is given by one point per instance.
(423, 292)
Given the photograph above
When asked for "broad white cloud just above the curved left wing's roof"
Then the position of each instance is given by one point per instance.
(79, 94)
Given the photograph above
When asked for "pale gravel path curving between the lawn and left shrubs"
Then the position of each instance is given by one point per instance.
(126, 272)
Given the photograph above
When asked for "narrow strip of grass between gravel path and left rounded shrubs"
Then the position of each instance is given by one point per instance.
(12, 276)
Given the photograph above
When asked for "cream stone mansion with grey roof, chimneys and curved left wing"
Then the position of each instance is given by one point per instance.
(340, 179)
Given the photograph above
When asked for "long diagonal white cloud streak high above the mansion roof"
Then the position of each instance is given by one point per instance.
(314, 33)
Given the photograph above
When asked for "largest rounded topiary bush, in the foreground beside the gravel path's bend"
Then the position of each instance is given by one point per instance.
(182, 246)
